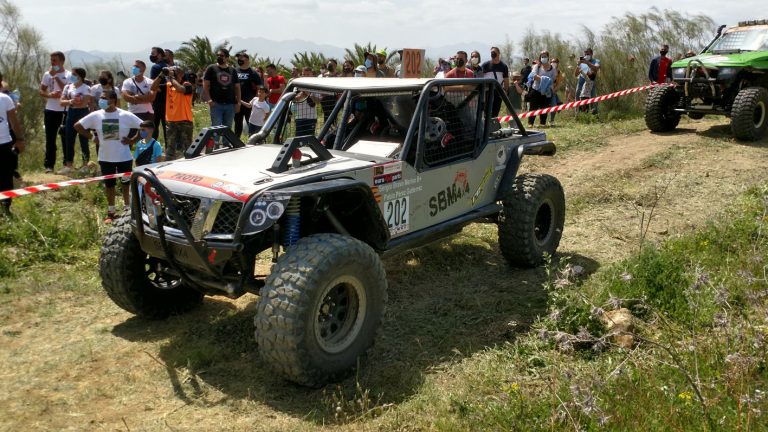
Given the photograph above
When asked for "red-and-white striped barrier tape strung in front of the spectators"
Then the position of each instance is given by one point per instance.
(52, 186)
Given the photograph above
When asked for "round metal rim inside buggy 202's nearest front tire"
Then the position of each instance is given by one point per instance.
(340, 314)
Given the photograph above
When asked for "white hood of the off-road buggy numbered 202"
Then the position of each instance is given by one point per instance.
(238, 174)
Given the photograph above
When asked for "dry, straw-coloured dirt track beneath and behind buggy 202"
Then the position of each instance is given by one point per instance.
(74, 361)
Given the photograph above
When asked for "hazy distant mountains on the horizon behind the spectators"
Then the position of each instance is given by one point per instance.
(282, 50)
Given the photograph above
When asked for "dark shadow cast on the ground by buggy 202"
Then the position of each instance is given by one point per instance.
(446, 302)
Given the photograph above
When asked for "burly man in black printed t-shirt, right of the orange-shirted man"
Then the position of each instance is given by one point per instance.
(221, 88)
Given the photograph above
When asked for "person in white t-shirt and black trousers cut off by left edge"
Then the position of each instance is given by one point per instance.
(8, 120)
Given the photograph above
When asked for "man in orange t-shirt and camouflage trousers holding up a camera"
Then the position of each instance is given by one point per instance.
(178, 111)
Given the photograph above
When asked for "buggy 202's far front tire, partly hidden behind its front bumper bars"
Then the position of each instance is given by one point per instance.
(132, 281)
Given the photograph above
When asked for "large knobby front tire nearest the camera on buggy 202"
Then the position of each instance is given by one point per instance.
(320, 308)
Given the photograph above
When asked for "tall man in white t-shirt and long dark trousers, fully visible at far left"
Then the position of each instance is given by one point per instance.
(53, 82)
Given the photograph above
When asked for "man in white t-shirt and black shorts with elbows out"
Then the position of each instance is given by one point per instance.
(115, 130)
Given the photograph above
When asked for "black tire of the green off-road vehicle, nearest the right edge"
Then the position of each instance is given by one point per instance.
(749, 114)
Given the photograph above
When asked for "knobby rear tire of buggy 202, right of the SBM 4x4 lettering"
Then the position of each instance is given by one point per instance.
(532, 220)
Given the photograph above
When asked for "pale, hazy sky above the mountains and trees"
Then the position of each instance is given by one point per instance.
(132, 25)
